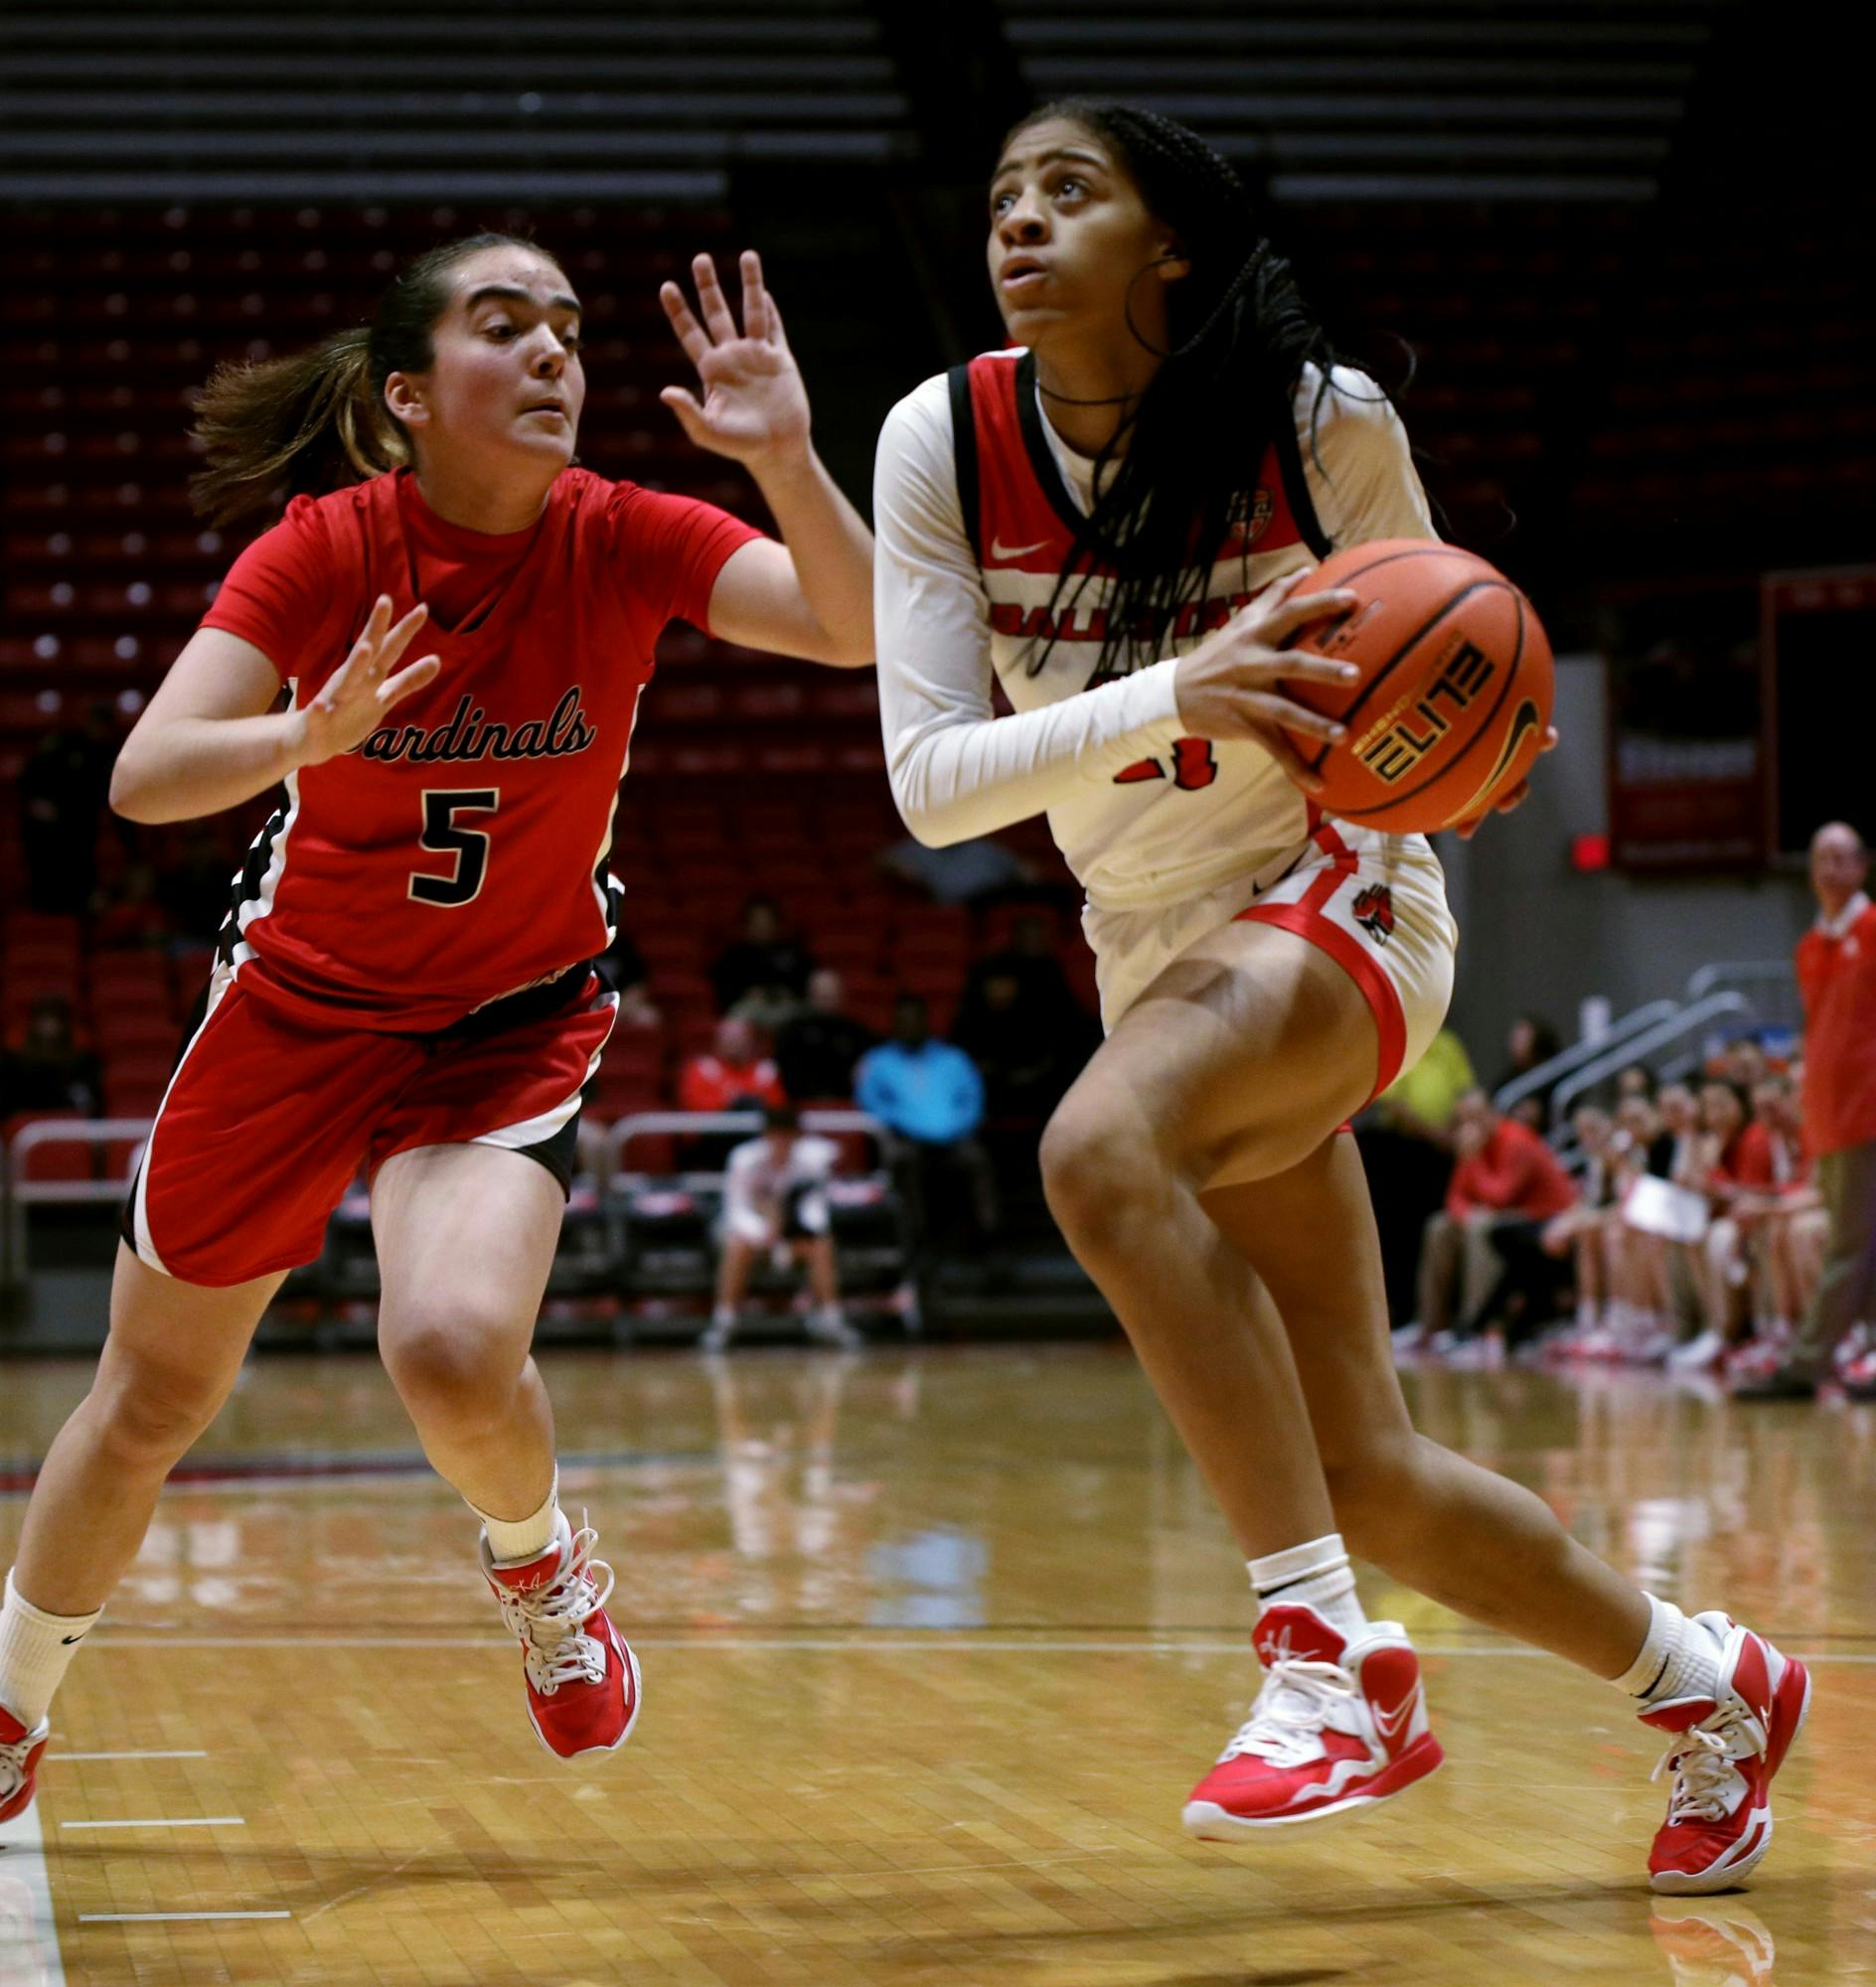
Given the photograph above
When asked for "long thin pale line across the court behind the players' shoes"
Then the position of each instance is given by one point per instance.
(941, 1644)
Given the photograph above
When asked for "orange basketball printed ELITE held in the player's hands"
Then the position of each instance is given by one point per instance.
(1456, 687)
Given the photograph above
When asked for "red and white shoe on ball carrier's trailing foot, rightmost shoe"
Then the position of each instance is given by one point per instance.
(1724, 1756)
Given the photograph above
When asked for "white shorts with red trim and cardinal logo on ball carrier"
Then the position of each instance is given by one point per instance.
(1374, 903)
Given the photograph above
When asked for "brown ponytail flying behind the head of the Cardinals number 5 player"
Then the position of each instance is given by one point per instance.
(307, 422)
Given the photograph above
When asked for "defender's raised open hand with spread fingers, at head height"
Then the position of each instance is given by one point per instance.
(754, 402)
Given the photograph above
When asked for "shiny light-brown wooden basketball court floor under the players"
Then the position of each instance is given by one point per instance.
(935, 1646)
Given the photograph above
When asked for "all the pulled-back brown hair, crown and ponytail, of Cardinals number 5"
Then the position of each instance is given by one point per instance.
(317, 420)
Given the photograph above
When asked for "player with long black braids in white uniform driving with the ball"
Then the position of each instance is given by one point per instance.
(1112, 522)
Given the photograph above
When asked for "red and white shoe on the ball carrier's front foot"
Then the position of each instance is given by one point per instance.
(1338, 1726)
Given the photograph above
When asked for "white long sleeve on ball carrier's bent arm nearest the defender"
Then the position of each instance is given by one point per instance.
(957, 768)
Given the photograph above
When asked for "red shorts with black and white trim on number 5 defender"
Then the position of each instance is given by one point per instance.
(267, 1122)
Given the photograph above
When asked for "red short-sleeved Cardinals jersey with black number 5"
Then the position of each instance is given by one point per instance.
(460, 853)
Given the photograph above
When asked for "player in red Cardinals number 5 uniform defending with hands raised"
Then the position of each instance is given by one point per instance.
(404, 981)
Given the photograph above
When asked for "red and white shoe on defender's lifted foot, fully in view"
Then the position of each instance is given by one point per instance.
(581, 1678)
